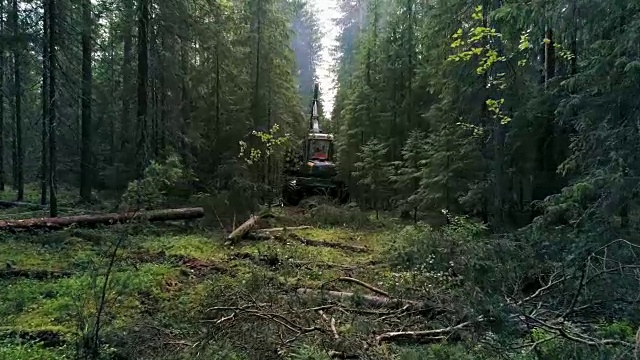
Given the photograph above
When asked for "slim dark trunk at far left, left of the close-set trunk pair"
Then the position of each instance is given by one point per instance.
(18, 98)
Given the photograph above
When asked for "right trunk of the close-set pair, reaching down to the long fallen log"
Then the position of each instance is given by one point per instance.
(53, 201)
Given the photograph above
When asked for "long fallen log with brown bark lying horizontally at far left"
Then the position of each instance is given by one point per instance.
(101, 219)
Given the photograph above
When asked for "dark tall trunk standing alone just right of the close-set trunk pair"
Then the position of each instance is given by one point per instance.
(86, 153)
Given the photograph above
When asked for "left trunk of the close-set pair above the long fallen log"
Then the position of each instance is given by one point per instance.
(44, 181)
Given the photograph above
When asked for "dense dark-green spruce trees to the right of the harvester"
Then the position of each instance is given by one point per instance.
(490, 108)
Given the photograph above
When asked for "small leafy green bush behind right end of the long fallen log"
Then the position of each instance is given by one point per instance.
(158, 178)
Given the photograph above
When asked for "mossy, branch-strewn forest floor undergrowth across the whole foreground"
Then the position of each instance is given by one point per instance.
(177, 292)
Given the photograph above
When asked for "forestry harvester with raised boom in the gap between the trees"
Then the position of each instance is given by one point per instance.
(314, 173)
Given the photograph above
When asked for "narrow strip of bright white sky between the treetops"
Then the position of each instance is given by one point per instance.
(327, 10)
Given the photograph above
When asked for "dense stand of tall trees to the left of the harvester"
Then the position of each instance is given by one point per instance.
(95, 91)
